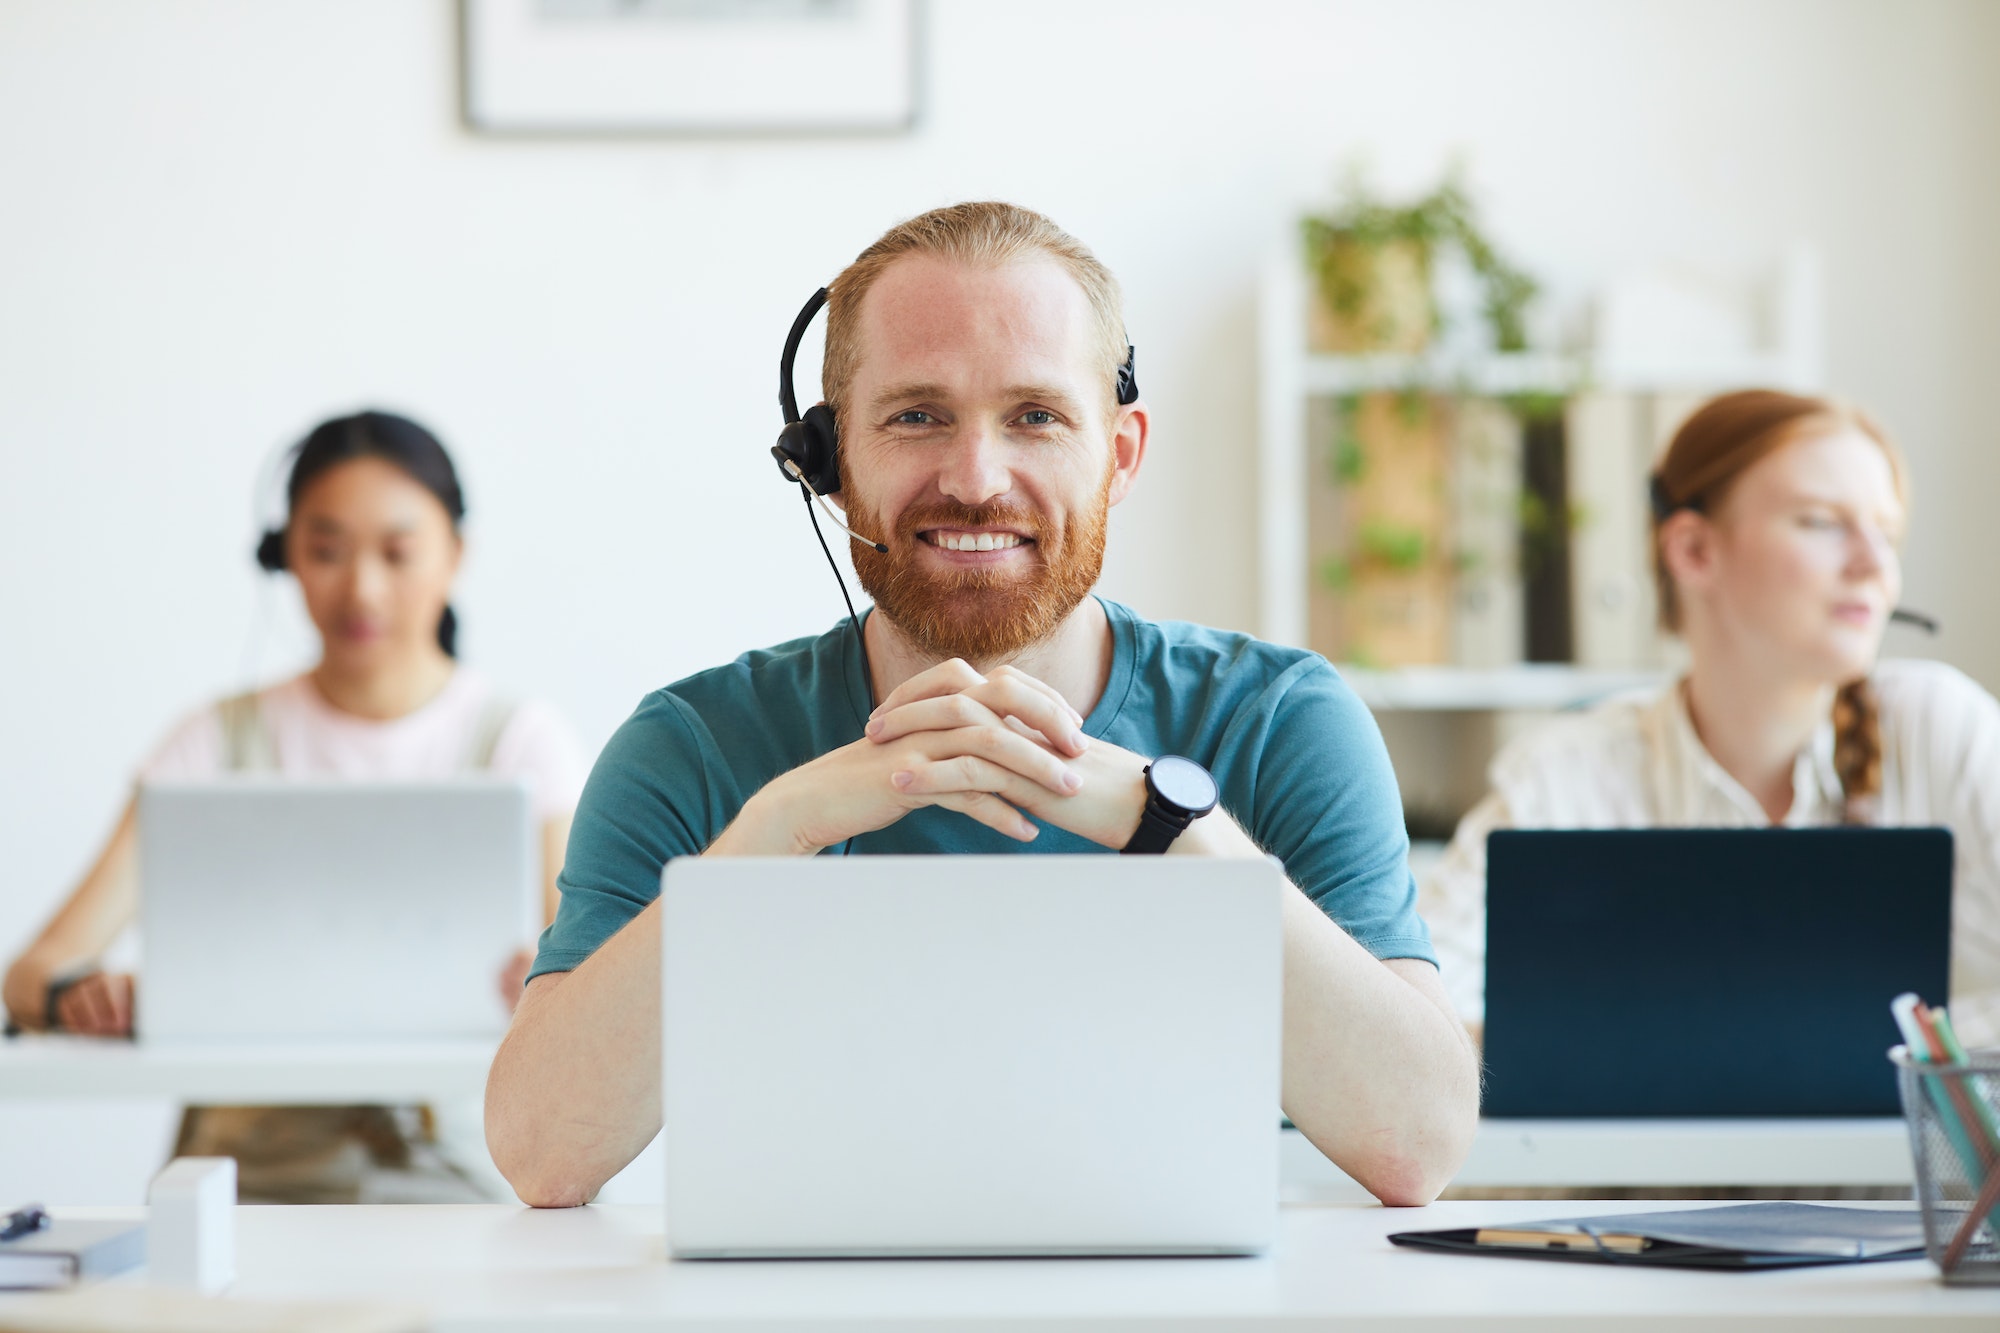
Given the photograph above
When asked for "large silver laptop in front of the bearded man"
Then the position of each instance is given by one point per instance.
(971, 1056)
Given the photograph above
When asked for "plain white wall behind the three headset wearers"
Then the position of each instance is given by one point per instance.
(225, 219)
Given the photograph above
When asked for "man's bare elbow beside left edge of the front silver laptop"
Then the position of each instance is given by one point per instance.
(575, 1090)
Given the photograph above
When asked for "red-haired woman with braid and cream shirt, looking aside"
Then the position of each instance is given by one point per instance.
(1777, 531)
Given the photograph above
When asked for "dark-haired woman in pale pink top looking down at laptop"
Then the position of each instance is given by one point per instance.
(373, 535)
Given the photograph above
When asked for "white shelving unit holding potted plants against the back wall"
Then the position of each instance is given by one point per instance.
(1663, 343)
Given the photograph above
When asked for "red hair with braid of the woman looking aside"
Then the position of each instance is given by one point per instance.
(1711, 451)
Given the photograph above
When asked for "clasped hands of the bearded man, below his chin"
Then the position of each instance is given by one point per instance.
(995, 748)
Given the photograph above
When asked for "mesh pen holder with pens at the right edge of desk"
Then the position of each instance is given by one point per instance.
(1953, 1114)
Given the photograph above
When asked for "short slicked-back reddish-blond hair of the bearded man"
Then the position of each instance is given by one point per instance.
(981, 233)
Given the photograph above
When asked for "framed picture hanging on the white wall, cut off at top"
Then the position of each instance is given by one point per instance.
(689, 67)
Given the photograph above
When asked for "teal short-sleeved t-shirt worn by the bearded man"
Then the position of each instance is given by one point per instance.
(1295, 754)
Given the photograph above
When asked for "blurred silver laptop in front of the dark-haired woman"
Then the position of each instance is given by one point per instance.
(337, 912)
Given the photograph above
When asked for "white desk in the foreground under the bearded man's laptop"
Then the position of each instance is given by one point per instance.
(489, 1270)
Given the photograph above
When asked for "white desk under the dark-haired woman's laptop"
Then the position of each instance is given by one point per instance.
(261, 1074)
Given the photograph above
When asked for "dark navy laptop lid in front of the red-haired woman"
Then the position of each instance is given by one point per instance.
(1707, 972)
